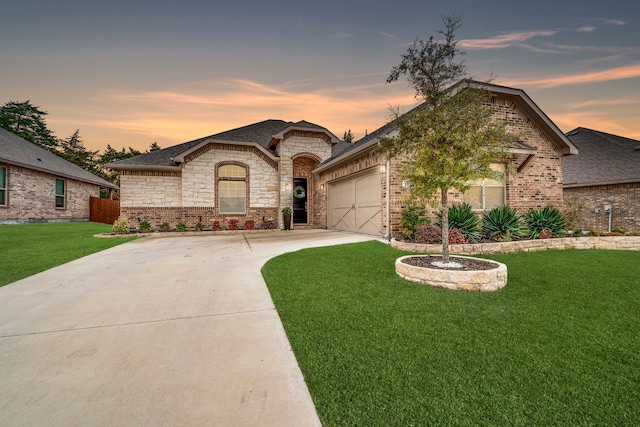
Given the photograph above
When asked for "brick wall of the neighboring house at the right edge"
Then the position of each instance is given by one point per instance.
(625, 199)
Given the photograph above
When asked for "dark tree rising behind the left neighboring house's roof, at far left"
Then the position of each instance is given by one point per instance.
(27, 121)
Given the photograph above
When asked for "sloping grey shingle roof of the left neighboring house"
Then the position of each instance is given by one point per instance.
(20, 152)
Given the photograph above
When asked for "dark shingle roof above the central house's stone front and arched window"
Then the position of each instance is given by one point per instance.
(260, 133)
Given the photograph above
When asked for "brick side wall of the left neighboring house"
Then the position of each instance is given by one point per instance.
(31, 197)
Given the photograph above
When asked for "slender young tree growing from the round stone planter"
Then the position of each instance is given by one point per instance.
(450, 139)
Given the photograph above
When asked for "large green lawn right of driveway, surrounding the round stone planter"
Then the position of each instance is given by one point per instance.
(559, 345)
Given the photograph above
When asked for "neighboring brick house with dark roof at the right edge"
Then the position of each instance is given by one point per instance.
(606, 172)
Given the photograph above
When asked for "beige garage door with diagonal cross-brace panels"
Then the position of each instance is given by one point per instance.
(354, 203)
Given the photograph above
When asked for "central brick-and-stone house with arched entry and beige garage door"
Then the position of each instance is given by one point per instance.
(254, 171)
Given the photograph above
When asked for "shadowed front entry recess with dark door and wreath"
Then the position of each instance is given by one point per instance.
(303, 184)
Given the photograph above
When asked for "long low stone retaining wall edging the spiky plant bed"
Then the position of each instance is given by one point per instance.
(627, 243)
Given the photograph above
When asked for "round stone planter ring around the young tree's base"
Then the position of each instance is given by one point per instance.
(461, 280)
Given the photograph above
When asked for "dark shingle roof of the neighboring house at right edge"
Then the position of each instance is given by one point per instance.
(603, 158)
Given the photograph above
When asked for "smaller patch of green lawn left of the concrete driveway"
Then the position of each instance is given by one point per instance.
(28, 249)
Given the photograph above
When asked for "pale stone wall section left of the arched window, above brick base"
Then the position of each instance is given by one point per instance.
(150, 188)
